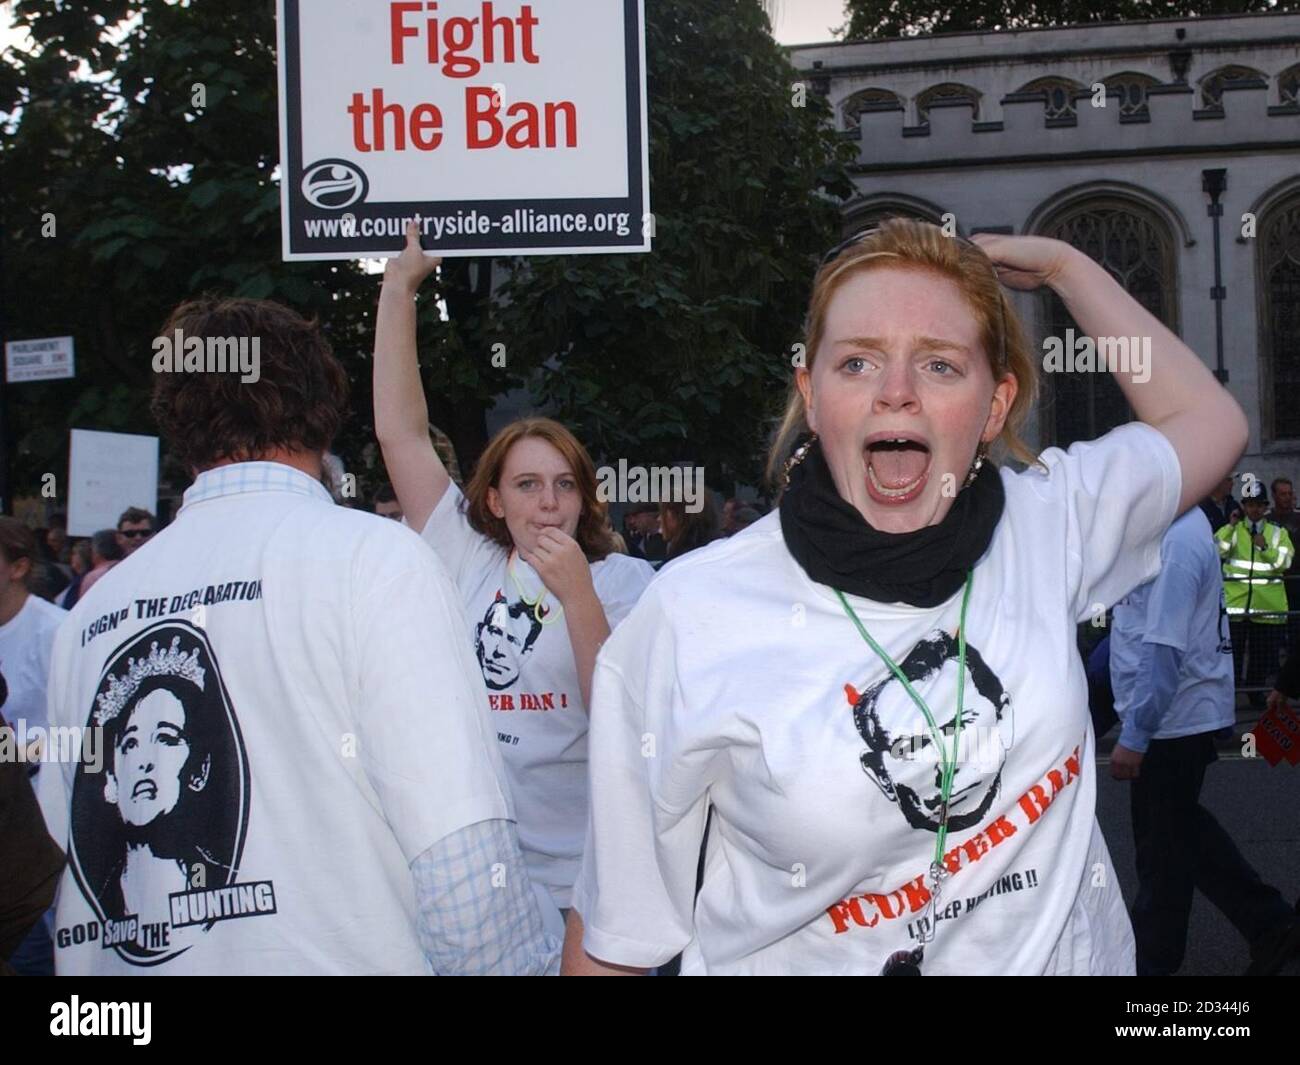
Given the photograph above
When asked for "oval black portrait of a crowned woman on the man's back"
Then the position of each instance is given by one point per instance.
(167, 817)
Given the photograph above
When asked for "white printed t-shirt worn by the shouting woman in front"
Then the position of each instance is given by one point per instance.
(742, 683)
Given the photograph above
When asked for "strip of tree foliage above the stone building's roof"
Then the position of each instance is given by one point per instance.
(874, 20)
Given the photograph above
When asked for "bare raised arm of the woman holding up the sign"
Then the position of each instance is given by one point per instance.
(401, 412)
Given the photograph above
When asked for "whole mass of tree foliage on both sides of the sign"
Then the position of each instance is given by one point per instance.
(145, 132)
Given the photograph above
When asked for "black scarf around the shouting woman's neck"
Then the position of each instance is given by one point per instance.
(835, 546)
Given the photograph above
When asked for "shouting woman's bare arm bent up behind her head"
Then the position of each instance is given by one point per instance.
(1175, 392)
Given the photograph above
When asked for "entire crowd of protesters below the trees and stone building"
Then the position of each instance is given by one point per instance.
(496, 735)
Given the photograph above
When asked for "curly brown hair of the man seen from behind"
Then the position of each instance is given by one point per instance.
(298, 401)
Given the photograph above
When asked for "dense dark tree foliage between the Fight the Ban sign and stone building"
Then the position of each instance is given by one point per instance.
(684, 354)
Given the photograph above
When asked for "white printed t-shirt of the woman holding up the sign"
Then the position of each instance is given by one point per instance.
(532, 683)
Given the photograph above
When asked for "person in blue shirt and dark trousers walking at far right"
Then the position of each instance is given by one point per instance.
(1172, 672)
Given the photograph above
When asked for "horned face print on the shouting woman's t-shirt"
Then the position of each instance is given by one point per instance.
(903, 759)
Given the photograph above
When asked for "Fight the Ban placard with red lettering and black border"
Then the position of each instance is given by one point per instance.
(509, 128)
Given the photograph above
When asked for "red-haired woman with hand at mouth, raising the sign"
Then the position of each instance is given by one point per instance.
(530, 547)
